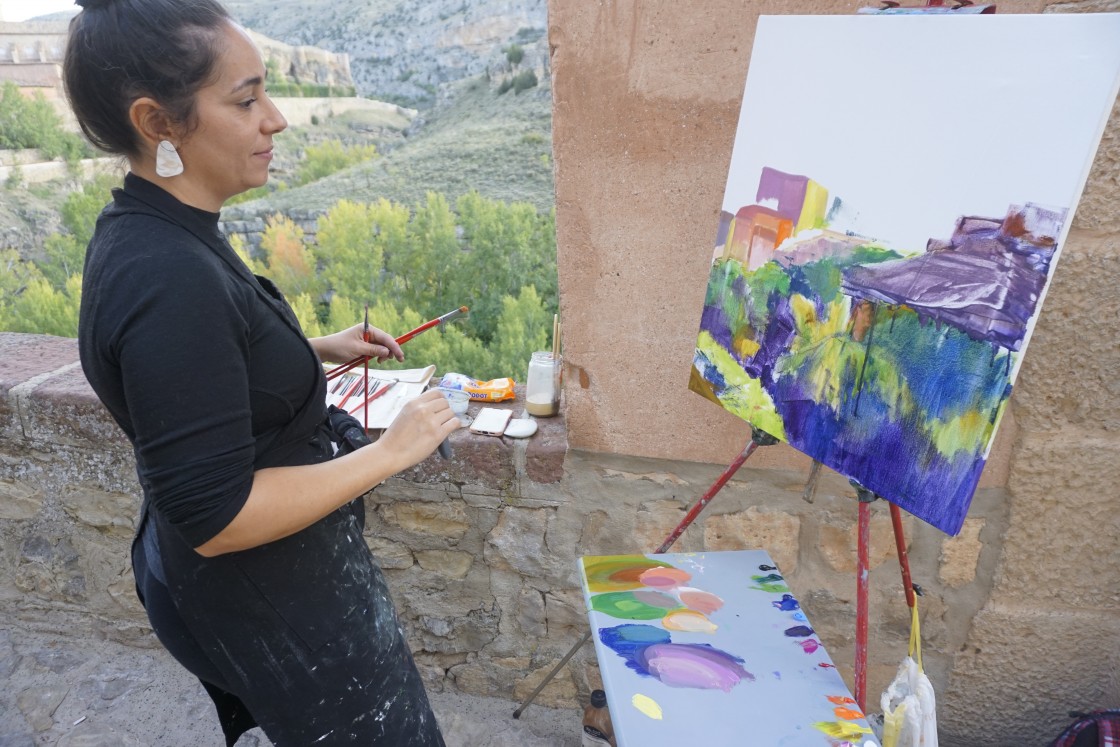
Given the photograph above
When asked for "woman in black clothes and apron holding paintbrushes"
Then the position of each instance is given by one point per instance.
(249, 559)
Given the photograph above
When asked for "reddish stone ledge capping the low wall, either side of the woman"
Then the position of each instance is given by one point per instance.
(45, 398)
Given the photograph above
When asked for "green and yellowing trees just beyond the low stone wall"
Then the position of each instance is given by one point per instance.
(409, 265)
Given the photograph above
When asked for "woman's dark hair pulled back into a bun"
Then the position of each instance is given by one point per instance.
(120, 51)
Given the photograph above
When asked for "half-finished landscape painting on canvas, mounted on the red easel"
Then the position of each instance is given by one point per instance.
(898, 200)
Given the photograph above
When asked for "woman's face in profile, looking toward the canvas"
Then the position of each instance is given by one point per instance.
(231, 148)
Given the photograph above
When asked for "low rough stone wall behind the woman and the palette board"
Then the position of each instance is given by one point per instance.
(481, 553)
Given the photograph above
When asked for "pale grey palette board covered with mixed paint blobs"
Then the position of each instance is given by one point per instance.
(708, 648)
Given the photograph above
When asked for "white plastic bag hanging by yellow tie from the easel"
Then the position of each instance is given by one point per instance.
(910, 708)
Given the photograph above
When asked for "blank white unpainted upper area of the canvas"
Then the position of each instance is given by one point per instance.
(917, 122)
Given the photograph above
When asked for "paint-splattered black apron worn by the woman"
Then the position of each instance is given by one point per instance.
(300, 636)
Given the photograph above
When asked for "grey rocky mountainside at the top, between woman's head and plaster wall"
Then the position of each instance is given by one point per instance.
(404, 51)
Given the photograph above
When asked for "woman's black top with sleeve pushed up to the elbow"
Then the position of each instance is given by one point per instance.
(200, 362)
